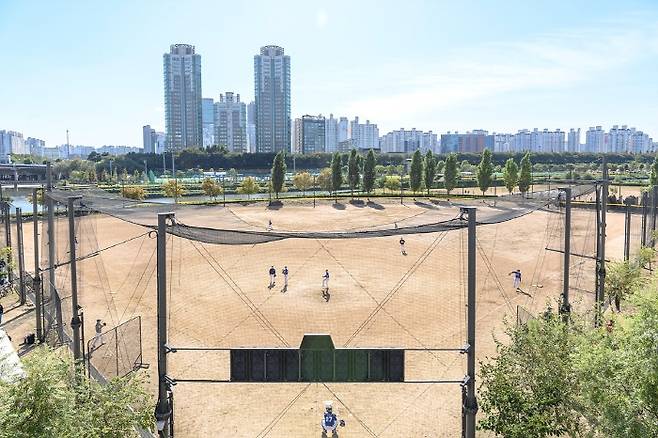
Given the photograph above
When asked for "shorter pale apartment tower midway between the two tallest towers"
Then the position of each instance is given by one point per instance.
(231, 122)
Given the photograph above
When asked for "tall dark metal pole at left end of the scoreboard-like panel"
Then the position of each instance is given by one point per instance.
(163, 408)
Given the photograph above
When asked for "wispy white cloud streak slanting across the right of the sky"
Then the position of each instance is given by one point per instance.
(464, 77)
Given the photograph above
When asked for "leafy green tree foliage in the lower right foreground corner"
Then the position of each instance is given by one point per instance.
(557, 378)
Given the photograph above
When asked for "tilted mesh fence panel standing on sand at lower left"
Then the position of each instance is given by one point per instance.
(118, 351)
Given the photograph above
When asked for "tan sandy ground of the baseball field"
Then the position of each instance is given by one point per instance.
(219, 297)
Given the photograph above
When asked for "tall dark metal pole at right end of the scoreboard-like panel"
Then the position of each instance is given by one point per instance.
(471, 406)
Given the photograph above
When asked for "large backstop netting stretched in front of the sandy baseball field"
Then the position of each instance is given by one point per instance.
(396, 282)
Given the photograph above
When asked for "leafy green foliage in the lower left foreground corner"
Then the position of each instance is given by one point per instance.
(52, 400)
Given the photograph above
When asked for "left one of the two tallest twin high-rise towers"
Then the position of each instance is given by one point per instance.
(183, 109)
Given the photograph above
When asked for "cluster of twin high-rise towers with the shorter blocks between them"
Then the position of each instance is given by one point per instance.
(192, 121)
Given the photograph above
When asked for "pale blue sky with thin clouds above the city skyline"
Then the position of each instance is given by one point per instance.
(95, 67)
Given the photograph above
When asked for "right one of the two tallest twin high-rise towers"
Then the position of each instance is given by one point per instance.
(272, 92)
